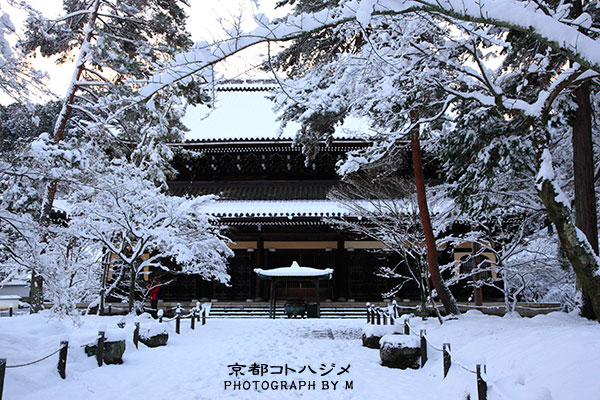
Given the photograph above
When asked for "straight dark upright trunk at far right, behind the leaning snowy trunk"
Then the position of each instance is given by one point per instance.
(586, 217)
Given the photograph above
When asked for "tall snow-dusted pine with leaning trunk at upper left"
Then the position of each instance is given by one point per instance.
(117, 44)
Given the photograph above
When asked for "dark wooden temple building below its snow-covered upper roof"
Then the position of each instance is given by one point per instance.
(276, 210)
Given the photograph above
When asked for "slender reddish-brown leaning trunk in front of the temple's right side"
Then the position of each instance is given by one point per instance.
(443, 292)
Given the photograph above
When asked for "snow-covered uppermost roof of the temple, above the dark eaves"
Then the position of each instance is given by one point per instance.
(242, 111)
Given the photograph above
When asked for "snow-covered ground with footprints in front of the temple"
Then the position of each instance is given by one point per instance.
(554, 356)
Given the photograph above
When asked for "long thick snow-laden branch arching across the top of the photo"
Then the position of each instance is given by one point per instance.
(518, 15)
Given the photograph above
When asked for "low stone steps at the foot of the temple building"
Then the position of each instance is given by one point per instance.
(261, 310)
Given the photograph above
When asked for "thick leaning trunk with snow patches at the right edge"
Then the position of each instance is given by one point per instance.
(580, 253)
